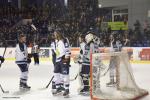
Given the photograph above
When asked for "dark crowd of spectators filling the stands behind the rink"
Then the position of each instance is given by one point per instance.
(71, 27)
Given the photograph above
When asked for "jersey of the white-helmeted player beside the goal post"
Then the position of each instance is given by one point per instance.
(89, 48)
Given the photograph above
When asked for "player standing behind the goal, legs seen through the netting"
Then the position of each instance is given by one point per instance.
(115, 46)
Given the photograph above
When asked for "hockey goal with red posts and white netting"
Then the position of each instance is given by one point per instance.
(123, 86)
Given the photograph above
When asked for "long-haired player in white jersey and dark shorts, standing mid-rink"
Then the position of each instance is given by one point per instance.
(61, 66)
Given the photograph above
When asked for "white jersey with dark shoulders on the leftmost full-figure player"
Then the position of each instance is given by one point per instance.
(21, 53)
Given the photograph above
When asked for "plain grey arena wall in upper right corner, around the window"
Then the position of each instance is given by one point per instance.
(137, 9)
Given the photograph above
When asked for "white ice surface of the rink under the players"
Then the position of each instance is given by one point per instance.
(39, 76)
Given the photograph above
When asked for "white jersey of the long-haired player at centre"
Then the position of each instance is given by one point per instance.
(60, 50)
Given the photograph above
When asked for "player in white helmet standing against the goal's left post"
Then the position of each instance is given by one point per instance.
(85, 70)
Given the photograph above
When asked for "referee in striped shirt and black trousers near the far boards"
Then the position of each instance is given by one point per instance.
(35, 52)
